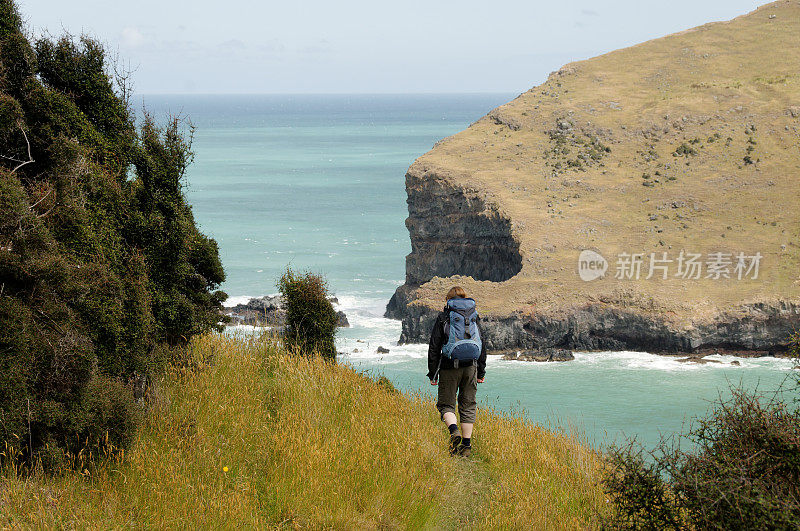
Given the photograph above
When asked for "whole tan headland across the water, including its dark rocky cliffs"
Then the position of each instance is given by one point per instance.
(686, 145)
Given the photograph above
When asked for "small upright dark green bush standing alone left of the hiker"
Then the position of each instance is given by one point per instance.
(310, 317)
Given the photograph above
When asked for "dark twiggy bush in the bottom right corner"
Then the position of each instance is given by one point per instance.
(743, 472)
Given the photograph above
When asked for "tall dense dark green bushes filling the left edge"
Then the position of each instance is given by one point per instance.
(102, 267)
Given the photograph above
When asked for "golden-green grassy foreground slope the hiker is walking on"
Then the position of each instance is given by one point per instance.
(253, 437)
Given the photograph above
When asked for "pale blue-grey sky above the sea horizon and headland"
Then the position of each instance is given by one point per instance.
(355, 46)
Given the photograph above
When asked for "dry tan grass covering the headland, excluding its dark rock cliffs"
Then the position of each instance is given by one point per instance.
(689, 142)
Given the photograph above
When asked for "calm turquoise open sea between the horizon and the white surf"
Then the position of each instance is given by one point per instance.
(312, 181)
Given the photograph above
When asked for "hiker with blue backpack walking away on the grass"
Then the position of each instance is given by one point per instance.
(457, 364)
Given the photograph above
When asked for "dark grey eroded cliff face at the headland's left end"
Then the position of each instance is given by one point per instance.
(456, 231)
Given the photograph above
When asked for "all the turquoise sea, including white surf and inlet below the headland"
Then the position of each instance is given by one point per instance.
(318, 182)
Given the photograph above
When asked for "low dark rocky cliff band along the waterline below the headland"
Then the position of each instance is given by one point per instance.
(758, 329)
